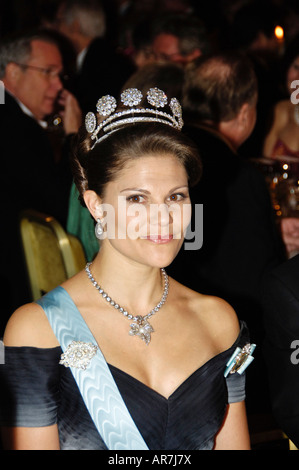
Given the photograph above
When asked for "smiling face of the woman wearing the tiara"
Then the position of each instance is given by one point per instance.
(147, 210)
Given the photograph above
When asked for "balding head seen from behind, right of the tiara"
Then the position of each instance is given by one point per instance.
(221, 91)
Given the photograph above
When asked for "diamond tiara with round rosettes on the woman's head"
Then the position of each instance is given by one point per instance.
(131, 98)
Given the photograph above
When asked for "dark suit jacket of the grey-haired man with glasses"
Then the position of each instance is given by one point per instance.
(29, 180)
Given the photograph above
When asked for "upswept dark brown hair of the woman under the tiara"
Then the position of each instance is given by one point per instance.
(94, 168)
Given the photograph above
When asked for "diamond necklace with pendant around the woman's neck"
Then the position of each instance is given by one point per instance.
(141, 327)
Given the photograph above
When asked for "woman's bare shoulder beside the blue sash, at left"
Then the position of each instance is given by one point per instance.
(29, 326)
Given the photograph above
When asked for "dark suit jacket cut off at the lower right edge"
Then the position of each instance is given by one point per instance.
(281, 347)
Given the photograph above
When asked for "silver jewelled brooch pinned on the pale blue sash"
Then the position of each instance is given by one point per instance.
(78, 354)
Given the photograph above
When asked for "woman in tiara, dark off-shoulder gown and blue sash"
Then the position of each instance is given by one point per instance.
(169, 354)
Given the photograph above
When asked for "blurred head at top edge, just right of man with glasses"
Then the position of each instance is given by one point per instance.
(81, 21)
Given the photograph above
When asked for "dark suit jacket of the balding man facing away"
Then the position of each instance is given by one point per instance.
(240, 240)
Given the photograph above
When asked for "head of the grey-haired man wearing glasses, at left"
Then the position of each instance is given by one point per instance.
(31, 69)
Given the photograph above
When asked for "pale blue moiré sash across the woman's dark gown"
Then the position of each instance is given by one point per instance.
(96, 383)
